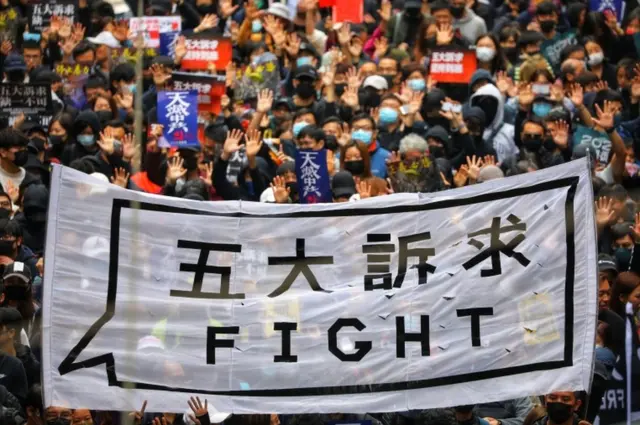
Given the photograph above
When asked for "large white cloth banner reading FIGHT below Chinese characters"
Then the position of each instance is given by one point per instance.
(401, 302)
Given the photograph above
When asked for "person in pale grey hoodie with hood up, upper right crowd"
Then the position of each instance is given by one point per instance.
(498, 133)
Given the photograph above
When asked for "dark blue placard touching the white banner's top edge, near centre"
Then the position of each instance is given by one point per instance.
(314, 184)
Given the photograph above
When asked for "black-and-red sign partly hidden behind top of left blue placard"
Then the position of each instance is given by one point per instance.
(210, 88)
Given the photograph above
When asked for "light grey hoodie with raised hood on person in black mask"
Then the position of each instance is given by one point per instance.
(498, 133)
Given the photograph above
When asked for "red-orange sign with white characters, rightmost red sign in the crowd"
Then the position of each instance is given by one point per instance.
(452, 66)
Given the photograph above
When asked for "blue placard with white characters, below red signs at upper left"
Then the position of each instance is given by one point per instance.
(178, 113)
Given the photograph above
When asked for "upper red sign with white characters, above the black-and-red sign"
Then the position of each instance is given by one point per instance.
(206, 49)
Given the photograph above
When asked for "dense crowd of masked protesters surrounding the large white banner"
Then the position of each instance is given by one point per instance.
(553, 81)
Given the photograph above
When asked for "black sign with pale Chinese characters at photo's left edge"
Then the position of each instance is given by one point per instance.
(34, 100)
